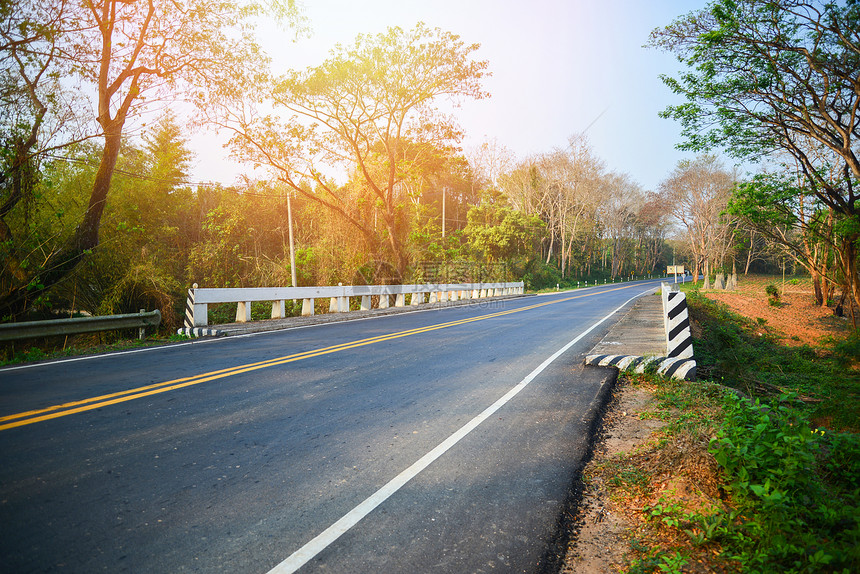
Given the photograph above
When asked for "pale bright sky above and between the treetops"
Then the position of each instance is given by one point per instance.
(559, 67)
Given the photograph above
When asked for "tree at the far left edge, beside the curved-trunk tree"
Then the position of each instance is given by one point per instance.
(33, 111)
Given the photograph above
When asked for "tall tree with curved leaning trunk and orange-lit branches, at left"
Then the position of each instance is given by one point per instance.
(130, 54)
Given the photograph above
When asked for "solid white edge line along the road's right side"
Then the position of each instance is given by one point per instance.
(307, 552)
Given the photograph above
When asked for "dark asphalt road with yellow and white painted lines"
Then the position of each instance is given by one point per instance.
(437, 441)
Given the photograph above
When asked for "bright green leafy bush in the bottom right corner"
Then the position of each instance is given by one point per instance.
(795, 513)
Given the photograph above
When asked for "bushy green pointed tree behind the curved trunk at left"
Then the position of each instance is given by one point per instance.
(146, 226)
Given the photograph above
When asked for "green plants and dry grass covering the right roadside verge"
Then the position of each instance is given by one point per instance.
(757, 468)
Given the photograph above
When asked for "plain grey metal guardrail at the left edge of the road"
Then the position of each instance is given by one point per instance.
(77, 325)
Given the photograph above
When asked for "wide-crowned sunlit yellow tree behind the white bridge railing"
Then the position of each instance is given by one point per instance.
(370, 110)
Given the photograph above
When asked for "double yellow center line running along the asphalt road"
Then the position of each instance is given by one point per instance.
(65, 409)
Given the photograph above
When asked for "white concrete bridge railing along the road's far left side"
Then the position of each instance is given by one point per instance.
(199, 299)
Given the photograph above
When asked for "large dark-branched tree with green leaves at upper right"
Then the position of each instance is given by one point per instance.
(767, 76)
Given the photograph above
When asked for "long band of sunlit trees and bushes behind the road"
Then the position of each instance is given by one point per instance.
(363, 176)
